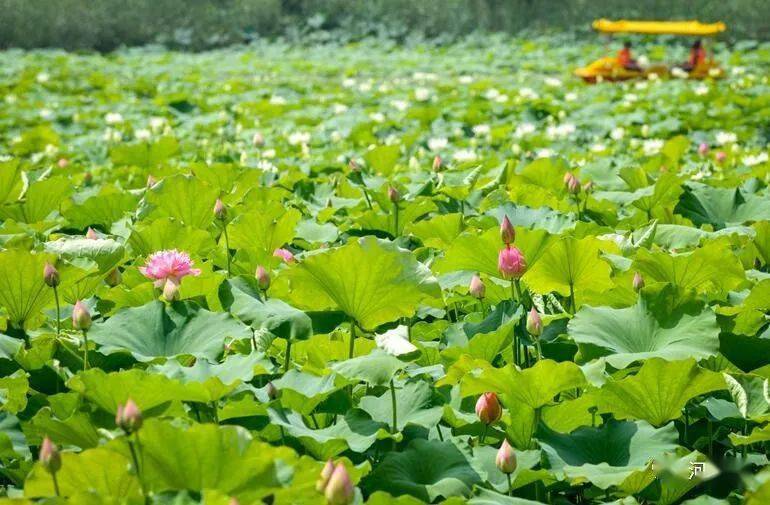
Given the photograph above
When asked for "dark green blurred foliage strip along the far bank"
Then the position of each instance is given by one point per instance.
(197, 24)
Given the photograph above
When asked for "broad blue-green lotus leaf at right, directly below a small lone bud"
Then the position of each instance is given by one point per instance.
(635, 333)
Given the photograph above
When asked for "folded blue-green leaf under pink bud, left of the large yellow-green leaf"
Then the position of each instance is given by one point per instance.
(242, 298)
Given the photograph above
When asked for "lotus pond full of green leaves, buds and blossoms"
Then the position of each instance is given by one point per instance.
(383, 274)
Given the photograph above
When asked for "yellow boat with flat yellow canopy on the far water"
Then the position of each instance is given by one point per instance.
(609, 68)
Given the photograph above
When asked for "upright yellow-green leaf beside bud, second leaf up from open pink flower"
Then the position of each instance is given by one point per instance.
(186, 199)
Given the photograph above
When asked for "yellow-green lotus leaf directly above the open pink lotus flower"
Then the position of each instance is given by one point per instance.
(165, 233)
